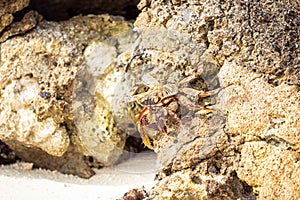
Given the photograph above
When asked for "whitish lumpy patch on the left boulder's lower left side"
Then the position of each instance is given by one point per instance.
(20, 122)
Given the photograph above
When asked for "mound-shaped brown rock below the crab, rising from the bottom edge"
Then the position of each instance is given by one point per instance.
(203, 171)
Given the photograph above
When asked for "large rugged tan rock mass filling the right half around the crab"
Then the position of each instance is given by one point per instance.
(252, 141)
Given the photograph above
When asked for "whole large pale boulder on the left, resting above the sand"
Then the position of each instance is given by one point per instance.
(40, 73)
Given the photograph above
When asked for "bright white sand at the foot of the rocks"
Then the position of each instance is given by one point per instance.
(18, 181)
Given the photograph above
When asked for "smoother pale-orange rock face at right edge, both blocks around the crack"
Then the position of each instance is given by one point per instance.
(265, 119)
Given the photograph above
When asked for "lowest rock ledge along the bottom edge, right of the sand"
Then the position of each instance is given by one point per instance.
(195, 184)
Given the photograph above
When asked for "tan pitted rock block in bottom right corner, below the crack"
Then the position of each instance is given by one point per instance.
(273, 171)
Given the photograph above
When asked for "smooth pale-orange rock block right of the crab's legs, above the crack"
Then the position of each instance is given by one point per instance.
(258, 110)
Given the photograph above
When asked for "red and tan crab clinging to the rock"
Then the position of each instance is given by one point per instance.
(161, 102)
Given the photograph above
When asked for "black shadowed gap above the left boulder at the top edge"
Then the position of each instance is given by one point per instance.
(65, 9)
